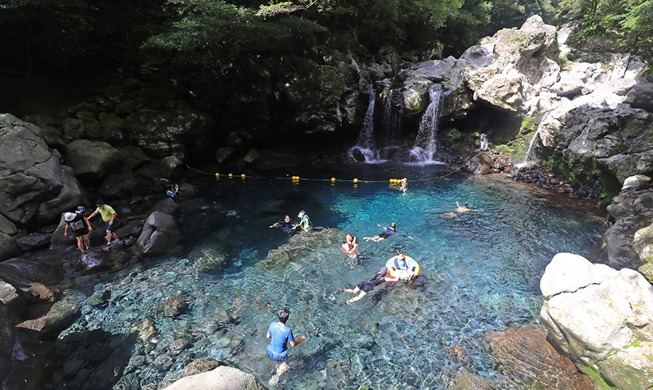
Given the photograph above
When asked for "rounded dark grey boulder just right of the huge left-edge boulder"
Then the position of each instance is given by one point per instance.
(92, 160)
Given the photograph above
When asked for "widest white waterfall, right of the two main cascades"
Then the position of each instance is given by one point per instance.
(426, 142)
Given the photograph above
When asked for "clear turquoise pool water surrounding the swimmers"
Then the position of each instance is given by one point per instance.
(480, 273)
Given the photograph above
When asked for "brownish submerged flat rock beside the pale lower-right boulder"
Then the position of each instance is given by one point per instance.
(528, 358)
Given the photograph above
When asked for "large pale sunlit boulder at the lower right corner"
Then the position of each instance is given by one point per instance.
(602, 317)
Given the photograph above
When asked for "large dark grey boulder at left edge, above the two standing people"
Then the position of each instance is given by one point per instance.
(36, 187)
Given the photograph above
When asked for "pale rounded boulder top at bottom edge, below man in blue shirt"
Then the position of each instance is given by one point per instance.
(222, 378)
